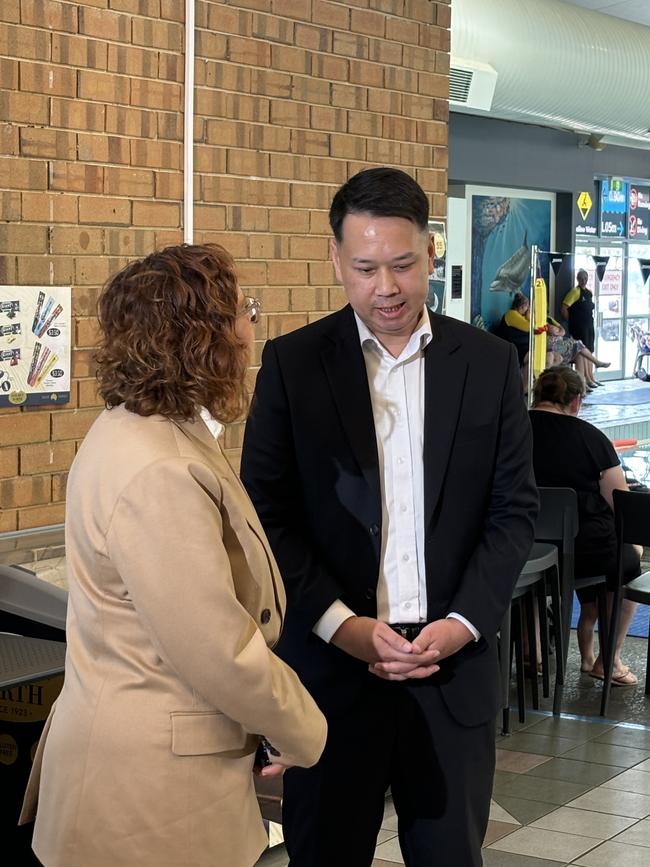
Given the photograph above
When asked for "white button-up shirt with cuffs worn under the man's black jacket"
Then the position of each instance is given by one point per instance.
(397, 395)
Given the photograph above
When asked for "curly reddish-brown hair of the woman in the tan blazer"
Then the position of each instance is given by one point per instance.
(167, 335)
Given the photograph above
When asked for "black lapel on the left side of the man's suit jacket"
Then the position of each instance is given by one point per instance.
(346, 373)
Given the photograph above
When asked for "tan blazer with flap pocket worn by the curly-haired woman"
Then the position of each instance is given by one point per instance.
(175, 599)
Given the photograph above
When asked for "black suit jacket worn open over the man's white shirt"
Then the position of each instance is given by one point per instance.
(310, 465)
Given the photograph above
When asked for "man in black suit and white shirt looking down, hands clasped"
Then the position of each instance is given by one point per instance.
(388, 455)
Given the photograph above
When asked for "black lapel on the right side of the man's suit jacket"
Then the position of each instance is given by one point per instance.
(445, 370)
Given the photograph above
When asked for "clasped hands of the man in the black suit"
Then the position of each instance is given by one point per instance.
(392, 657)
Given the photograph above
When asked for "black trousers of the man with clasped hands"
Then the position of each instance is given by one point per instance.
(398, 734)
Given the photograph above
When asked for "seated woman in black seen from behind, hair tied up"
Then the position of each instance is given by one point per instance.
(571, 453)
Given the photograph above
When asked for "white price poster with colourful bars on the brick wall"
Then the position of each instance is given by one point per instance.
(34, 345)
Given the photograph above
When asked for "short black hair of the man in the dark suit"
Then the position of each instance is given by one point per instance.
(381, 192)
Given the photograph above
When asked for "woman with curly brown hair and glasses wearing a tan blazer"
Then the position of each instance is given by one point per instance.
(175, 597)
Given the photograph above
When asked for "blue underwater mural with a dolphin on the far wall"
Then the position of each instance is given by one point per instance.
(503, 230)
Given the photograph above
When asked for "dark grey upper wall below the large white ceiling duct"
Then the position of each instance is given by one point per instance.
(483, 150)
